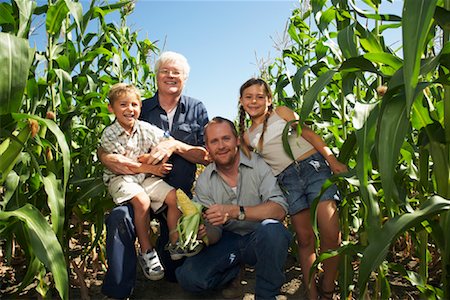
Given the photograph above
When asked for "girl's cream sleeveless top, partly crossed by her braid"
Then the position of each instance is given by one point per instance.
(273, 151)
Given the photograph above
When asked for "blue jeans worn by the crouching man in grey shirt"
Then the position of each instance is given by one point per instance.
(266, 249)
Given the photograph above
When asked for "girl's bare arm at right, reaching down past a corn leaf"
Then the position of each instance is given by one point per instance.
(315, 140)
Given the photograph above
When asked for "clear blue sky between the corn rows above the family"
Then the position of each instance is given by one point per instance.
(220, 40)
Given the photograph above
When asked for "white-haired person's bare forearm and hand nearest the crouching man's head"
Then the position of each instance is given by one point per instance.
(162, 152)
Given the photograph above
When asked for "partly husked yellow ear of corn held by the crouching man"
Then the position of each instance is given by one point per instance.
(188, 223)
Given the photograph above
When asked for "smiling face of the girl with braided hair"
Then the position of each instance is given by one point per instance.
(255, 101)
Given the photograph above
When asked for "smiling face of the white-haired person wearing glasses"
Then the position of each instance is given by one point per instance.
(171, 78)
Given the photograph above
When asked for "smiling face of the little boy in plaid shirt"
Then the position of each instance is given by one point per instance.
(127, 108)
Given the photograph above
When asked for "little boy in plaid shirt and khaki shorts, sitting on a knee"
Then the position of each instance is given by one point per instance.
(133, 138)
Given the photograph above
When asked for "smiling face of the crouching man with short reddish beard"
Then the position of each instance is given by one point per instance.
(222, 144)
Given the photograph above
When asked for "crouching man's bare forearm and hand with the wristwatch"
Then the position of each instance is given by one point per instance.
(218, 214)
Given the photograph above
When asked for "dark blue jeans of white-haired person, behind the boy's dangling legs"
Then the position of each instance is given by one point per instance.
(120, 277)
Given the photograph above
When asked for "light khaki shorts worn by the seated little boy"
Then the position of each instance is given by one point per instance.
(124, 187)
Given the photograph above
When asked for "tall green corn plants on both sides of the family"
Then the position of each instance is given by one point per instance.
(385, 111)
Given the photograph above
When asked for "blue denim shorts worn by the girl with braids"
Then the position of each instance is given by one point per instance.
(302, 181)
